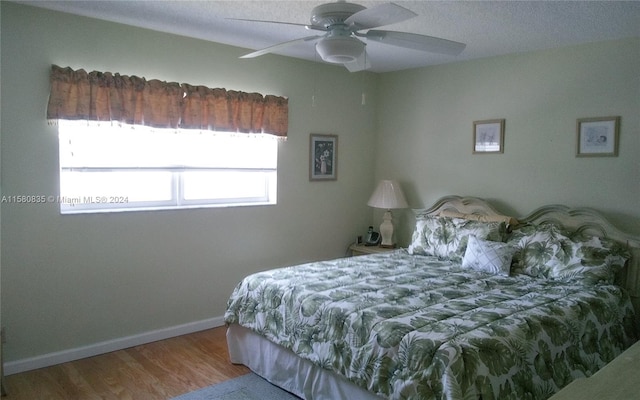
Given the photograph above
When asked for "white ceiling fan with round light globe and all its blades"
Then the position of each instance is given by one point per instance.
(343, 23)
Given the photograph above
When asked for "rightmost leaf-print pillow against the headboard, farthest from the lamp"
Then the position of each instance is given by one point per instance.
(592, 260)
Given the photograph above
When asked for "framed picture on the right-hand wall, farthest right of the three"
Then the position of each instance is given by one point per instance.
(597, 137)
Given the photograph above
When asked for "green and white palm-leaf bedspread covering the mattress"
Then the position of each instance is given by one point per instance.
(414, 327)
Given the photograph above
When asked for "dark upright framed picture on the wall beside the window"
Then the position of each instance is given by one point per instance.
(323, 157)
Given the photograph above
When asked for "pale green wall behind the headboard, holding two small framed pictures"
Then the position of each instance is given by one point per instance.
(425, 130)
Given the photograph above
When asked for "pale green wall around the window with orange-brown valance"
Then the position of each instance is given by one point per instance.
(76, 280)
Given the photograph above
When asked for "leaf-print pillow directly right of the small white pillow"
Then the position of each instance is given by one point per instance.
(539, 249)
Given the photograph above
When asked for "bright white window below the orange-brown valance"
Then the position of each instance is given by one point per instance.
(113, 167)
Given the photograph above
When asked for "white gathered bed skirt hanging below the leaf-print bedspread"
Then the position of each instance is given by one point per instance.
(285, 369)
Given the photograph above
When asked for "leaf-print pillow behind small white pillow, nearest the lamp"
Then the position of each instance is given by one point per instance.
(447, 238)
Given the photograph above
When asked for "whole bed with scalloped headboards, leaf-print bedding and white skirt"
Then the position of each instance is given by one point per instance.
(479, 306)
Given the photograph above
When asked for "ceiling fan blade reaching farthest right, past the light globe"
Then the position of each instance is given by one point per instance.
(416, 42)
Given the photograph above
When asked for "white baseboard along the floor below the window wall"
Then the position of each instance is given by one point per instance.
(59, 357)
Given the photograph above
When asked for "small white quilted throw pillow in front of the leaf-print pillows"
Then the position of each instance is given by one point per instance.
(488, 256)
